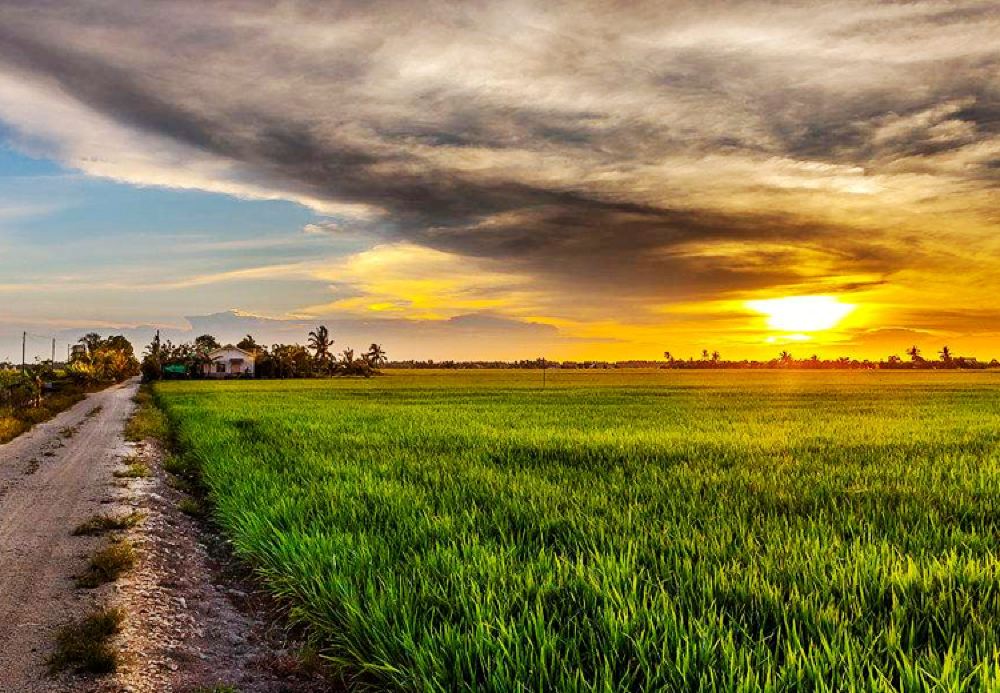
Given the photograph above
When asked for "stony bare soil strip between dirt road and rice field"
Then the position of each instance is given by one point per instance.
(194, 620)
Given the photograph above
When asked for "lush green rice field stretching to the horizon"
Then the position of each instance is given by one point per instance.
(619, 530)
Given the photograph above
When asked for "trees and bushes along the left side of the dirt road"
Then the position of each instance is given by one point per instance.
(35, 393)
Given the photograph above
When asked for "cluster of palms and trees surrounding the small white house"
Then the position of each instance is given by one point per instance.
(315, 359)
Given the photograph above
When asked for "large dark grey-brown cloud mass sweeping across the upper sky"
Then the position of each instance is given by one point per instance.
(550, 137)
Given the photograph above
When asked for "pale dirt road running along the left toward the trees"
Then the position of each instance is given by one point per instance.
(52, 479)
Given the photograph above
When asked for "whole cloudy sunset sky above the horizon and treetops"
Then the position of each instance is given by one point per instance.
(575, 180)
